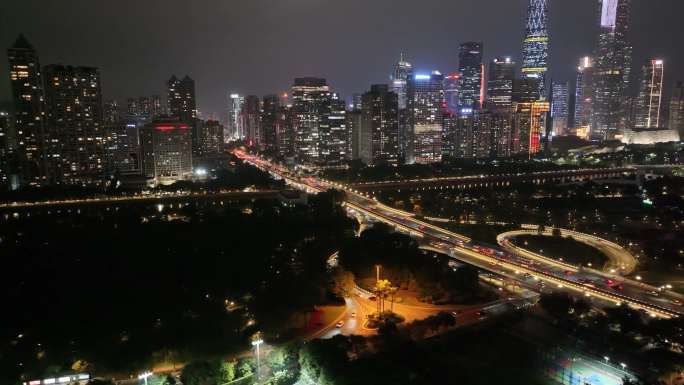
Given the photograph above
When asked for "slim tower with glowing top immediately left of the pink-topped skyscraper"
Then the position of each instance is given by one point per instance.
(584, 98)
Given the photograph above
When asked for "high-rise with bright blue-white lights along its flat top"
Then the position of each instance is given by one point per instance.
(428, 117)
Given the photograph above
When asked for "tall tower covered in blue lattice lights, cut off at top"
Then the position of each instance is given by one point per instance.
(536, 43)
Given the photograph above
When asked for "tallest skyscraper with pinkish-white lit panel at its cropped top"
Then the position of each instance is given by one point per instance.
(612, 68)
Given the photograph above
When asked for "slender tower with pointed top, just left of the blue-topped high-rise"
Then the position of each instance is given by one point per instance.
(403, 85)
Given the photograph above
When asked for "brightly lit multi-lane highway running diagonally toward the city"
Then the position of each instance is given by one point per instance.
(593, 286)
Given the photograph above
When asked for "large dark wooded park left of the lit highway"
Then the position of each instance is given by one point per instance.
(122, 290)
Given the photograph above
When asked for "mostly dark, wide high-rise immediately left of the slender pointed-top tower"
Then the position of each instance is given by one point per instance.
(380, 126)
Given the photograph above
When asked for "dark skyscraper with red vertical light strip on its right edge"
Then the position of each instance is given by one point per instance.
(470, 66)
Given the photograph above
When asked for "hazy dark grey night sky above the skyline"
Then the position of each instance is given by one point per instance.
(259, 46)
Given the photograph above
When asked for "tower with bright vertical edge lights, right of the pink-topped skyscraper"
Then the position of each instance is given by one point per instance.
(649, 104)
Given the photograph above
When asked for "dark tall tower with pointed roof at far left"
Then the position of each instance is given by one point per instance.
(26, 81)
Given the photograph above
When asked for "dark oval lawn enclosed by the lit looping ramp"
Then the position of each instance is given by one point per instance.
(569, 249)
